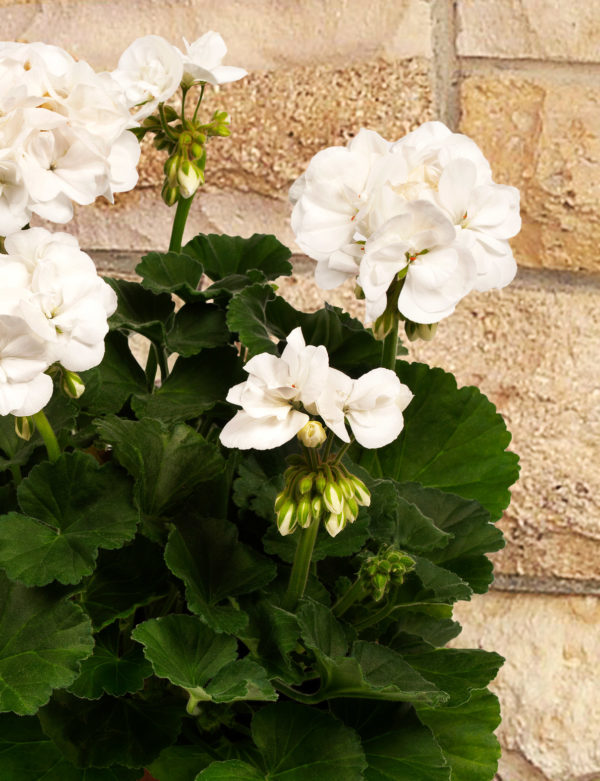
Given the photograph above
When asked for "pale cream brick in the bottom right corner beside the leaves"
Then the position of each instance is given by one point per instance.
(548, 687)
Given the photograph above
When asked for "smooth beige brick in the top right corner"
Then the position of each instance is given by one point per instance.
(529, 29)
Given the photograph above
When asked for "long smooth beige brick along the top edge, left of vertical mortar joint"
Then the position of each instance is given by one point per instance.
(259, 33)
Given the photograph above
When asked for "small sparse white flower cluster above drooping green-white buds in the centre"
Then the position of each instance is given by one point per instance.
(281, 393)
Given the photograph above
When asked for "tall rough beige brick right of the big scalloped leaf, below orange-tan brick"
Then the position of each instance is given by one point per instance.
(532, 349)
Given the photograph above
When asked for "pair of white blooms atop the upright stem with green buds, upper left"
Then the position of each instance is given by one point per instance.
(151, 69)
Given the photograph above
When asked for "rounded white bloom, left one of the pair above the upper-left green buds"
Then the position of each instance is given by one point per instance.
(149, 72)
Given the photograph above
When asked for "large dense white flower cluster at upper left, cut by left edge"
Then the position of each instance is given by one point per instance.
(64, 135)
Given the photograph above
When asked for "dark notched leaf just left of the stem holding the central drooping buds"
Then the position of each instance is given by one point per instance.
(206, 554)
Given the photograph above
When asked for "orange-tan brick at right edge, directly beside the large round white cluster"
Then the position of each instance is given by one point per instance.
(541, 134)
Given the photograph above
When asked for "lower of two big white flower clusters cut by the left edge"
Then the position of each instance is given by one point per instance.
(53, 309)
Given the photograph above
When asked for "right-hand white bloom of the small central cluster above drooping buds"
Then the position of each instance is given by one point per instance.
(372, 405)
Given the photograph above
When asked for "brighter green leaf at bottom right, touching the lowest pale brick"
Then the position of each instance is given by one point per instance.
(466, 735)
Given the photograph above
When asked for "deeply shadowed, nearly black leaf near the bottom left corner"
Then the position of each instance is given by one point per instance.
(100, 733)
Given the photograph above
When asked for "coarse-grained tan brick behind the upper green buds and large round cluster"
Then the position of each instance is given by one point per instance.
(281, 118)
